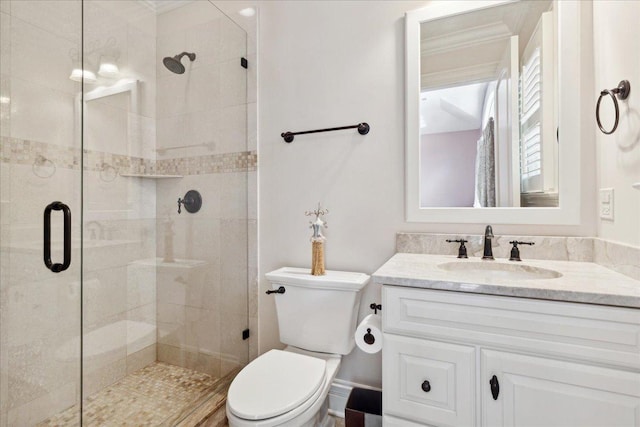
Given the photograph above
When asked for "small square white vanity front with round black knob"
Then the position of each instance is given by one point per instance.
(428, 381)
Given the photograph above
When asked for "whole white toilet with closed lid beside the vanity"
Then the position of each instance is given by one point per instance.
(317, 318)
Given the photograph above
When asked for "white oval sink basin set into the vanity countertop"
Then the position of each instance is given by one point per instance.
(490, 269)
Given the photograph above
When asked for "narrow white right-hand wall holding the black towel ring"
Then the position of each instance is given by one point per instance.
(616, 50)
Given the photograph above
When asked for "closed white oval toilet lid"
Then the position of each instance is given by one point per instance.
(275, 383)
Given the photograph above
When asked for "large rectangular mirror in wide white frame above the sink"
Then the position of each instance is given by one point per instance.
(488, 90)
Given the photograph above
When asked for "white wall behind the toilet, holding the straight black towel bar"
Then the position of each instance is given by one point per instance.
(327, 64)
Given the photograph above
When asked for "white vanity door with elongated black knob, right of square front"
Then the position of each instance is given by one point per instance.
(537, 392)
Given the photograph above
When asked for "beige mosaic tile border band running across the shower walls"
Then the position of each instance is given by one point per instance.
(45, 157)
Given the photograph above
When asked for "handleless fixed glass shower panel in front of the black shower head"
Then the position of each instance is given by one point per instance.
(164, 293)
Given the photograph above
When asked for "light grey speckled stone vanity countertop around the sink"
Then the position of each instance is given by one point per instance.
(582, 282)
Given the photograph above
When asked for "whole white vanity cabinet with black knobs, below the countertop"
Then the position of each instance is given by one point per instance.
(464, 359)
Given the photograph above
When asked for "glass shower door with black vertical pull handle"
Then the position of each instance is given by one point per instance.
(40, 210)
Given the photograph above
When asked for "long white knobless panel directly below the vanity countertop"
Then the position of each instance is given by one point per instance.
(596, 333)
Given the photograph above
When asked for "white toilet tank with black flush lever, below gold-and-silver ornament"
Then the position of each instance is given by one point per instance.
(317, 313)
